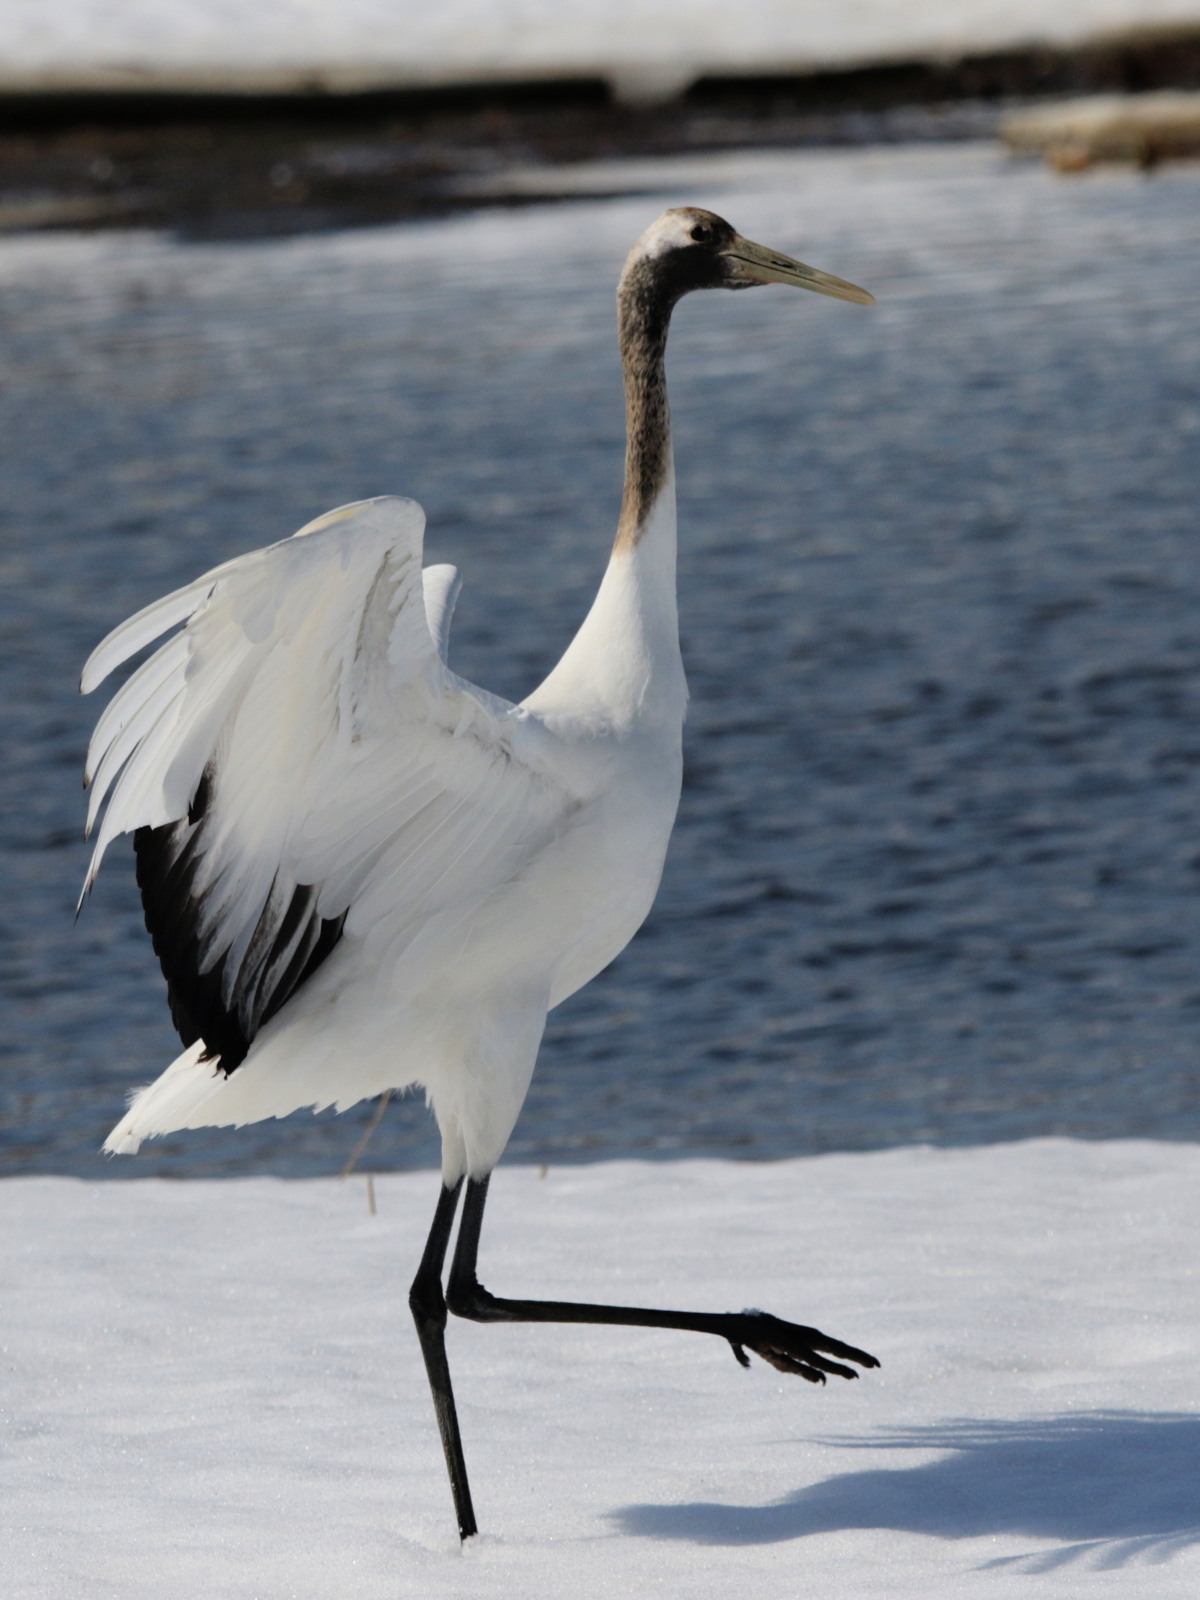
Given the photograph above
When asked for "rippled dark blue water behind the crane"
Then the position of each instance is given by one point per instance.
(938, 865)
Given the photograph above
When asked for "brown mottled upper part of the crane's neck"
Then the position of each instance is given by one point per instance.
(646, 302)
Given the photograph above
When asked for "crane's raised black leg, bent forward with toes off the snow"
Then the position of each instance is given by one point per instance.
(786, 1346)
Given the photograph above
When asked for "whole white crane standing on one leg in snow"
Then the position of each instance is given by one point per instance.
(362, 873)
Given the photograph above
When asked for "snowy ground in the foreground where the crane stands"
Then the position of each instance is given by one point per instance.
(214, 1390)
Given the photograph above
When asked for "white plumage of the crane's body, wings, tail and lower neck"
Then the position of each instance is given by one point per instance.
(487, 858)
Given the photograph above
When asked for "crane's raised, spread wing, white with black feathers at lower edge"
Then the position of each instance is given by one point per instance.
(297, 750)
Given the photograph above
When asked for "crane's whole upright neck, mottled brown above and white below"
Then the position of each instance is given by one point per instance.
(623, 668)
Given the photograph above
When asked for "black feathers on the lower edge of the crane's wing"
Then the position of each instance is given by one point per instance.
(289, 945)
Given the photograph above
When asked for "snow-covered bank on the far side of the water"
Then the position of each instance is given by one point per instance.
(642, 49)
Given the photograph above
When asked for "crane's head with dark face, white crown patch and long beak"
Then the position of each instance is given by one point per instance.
(690, 249)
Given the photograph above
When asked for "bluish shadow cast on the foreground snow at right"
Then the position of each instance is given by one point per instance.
(1106, 1487)
